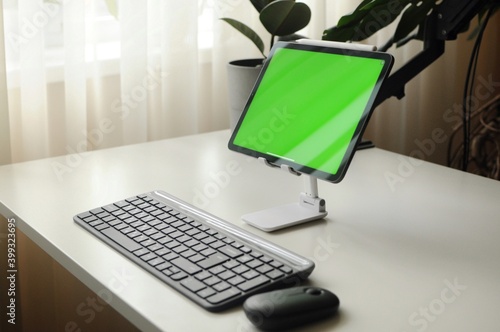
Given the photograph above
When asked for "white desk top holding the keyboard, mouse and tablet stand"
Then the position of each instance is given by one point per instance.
(420, 255)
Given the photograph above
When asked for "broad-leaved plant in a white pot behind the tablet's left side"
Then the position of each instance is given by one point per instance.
(282, 19)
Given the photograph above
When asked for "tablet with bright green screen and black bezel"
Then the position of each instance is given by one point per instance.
(310, 106)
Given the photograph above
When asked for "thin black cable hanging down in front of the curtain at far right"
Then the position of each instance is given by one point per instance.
(469, 90)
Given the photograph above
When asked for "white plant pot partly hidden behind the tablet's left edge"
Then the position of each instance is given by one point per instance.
(242, 75)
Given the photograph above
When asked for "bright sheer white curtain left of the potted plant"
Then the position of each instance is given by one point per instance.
(86, 75)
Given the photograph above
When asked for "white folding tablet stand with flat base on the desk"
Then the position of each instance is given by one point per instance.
(310, 206)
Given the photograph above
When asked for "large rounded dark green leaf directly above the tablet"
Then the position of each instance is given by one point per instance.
(284, 17)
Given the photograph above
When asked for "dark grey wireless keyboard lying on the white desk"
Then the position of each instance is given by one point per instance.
(210, 261)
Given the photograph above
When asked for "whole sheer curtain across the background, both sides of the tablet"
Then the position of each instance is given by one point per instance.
(77, 78)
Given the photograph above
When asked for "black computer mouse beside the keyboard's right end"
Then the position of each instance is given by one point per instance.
(292, 307)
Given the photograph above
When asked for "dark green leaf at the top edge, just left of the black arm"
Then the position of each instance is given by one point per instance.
(412, 17)
